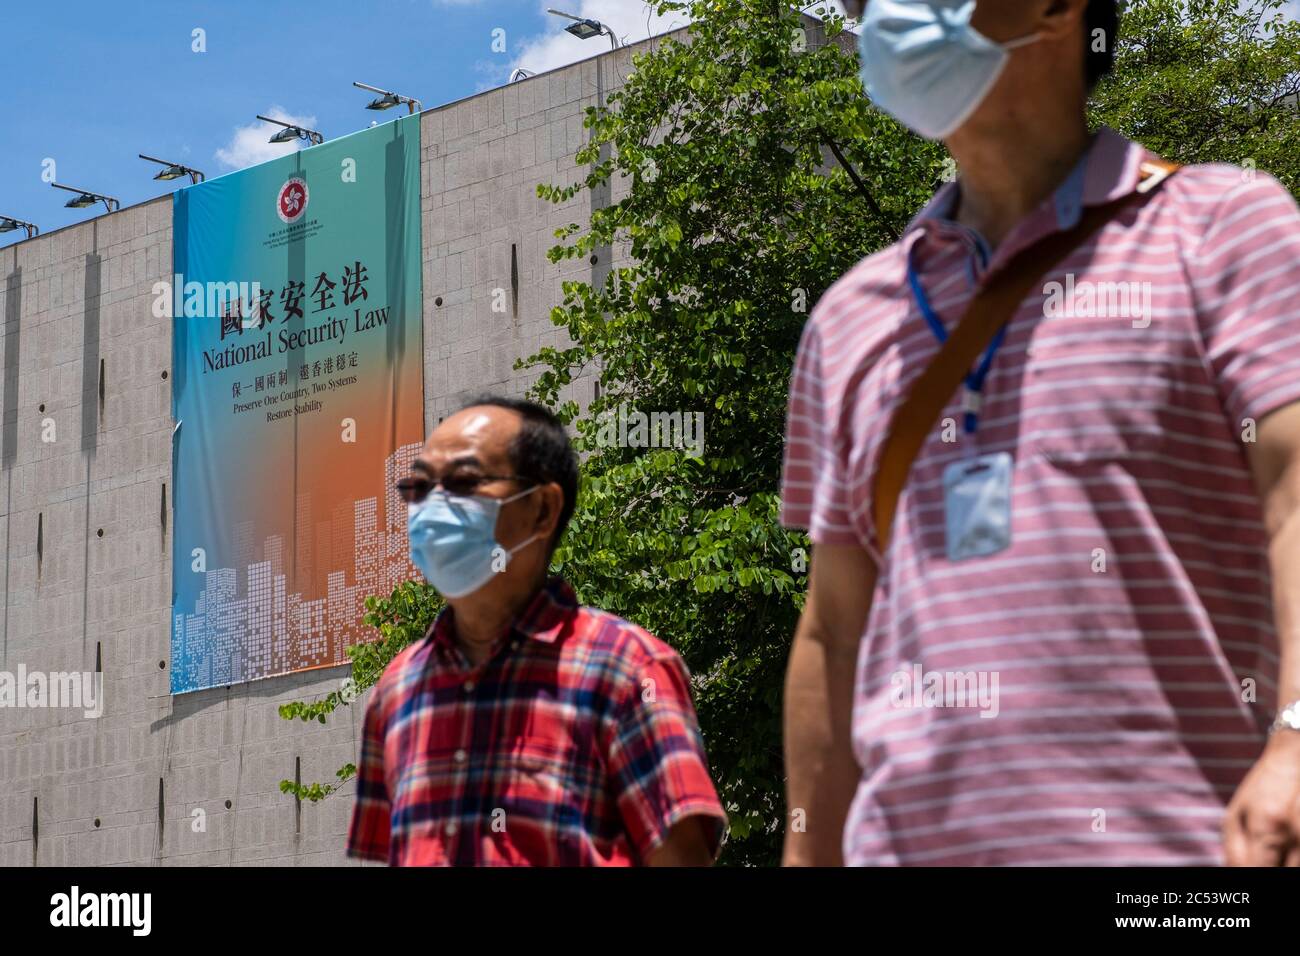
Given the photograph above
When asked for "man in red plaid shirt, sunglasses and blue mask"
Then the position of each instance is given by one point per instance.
(525, 729)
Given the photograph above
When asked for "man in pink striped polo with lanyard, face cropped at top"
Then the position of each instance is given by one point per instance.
(1108, 673)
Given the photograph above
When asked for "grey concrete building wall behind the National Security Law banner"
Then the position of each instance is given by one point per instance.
(123, 789)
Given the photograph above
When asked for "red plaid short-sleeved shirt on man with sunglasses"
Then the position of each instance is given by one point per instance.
(575, 743)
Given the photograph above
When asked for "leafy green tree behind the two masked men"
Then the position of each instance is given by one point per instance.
(736, 219)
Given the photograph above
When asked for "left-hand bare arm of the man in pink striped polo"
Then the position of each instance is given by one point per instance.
(820, 764)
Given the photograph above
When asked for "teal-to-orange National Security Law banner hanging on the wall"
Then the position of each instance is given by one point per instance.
(292, 429)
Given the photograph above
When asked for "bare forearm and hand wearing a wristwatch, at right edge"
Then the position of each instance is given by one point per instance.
(1262, 827)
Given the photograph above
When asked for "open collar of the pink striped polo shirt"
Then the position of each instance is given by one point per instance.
(1108, 170)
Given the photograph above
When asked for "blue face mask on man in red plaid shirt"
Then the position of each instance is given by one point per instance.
(454, 540)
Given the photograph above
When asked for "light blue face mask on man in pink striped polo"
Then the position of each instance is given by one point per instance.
(926, 66)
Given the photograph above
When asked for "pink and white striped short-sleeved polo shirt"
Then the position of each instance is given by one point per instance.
(1095, 693)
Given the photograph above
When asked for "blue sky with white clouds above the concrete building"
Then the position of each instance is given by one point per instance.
(93, 84)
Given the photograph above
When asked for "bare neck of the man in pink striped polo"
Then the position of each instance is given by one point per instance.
(1008, 171)
